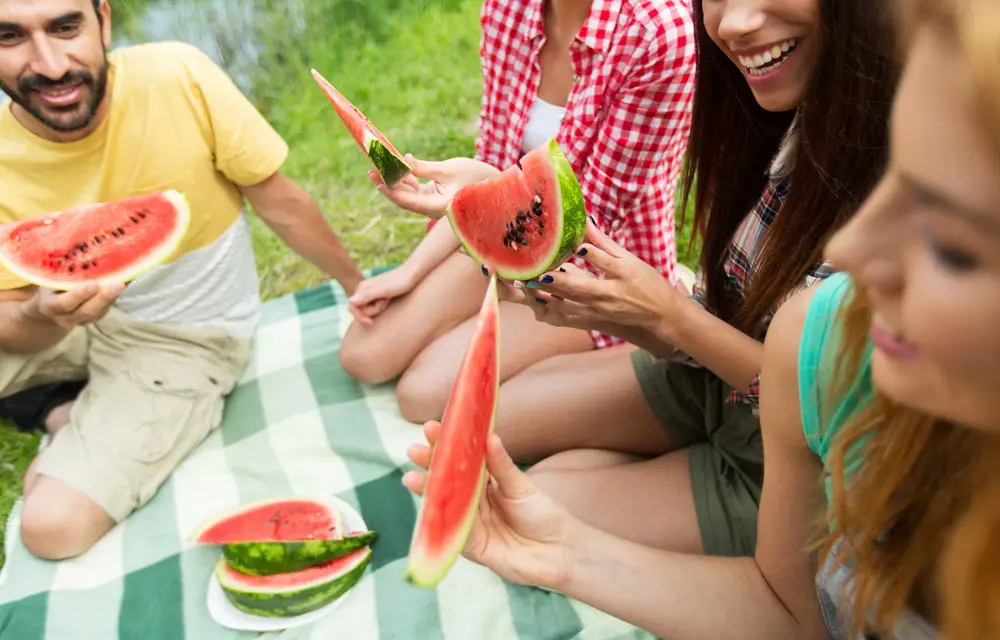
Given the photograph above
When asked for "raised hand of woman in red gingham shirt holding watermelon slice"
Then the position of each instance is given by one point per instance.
(445, 179)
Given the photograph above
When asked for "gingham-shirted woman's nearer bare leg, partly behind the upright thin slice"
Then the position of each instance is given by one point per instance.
(424, 388)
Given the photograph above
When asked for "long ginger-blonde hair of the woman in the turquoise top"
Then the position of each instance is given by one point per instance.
(921, 508)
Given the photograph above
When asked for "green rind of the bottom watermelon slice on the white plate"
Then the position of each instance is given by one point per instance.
(292, 601)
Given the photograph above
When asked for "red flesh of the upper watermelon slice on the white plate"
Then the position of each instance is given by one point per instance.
(273, 520)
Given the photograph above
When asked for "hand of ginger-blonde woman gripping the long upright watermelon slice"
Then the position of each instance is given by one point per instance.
(520, 533)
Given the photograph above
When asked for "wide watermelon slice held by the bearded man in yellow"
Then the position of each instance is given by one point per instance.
(107, 242)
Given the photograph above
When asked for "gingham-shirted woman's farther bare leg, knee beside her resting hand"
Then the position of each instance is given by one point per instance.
(450, 294)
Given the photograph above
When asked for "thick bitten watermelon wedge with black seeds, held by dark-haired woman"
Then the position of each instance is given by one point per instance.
(526, 221)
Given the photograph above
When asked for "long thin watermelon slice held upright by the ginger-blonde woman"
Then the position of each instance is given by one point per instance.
(458, 465)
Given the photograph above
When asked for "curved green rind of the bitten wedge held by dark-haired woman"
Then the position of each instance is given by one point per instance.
(572, 222)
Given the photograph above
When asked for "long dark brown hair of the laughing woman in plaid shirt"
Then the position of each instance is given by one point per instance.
(843, 148)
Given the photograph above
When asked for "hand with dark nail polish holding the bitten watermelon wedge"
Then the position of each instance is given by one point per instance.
(631, 300)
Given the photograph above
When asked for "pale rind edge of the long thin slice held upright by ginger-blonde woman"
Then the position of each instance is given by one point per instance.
(425, 571)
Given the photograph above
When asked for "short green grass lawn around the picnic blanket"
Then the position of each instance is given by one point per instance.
(412, 67)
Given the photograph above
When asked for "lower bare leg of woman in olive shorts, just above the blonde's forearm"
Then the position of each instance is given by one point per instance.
(648, 501)
